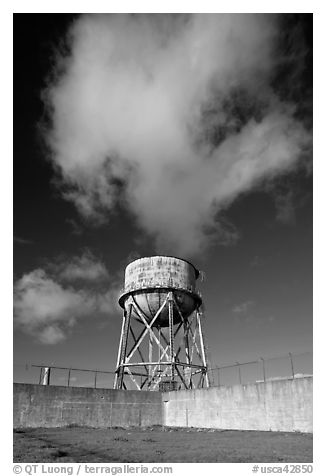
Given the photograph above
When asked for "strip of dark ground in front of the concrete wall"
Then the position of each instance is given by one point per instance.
(157, 445)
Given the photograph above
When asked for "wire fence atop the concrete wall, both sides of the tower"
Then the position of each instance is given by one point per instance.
(260, 370)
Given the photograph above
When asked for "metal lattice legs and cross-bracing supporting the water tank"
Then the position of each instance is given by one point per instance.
(150, 354)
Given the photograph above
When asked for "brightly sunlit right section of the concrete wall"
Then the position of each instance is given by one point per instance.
(281, 405)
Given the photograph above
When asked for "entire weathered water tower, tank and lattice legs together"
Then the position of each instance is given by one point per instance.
(161, 343)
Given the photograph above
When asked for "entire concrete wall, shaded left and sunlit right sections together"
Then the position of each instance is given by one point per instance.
(281, 405)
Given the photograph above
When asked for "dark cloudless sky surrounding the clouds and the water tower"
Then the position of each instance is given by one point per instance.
(257, 292)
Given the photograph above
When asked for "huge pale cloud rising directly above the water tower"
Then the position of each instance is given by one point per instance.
(151, 102)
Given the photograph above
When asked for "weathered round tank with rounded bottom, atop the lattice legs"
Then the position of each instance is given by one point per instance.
(148, 282)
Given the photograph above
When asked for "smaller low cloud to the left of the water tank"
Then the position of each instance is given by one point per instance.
(46, 307)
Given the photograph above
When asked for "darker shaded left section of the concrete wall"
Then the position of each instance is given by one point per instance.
(52, 406)
